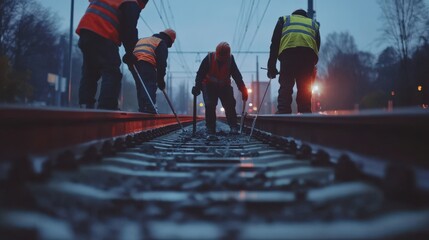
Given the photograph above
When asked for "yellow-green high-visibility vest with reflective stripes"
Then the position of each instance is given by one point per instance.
(299, 31)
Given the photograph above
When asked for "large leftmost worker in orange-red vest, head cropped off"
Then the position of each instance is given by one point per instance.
(105, 25)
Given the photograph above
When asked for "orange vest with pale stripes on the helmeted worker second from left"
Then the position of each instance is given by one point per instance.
(145, 49)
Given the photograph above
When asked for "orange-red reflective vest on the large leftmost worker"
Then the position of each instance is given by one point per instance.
(102, 17)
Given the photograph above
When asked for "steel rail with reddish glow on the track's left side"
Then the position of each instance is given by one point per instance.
(26, 130)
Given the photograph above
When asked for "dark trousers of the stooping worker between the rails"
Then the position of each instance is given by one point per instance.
(211, 94)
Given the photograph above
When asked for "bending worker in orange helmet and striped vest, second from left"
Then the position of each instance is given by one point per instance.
(151, 54)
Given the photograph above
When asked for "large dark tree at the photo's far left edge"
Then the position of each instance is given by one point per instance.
(29, 42)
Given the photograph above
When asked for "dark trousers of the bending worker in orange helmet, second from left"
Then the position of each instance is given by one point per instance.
(148, 74)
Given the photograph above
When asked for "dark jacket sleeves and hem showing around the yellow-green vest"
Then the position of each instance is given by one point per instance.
(275, 45)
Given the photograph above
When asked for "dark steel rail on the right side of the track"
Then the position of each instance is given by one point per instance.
(401, 136)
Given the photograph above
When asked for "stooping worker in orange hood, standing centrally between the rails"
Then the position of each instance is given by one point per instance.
(214, 80)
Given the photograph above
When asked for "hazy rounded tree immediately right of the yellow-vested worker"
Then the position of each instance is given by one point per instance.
(347, 72)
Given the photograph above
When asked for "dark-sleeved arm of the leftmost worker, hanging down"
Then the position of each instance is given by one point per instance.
(130, 13)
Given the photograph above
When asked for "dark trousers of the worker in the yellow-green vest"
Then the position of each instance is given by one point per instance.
(297, 66)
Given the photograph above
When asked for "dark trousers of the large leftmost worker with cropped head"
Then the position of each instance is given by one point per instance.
(100, 59)
